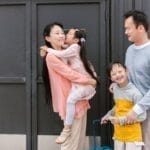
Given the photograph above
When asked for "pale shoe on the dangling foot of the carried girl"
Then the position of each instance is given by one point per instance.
(63, 136)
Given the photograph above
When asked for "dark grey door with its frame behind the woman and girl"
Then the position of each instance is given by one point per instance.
(89, 15)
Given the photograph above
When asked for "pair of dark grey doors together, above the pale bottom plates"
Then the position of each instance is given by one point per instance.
(22, 105)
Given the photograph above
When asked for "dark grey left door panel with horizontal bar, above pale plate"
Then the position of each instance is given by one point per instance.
(13, 68)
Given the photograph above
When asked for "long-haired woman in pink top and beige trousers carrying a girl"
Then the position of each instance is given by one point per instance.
(60, 81)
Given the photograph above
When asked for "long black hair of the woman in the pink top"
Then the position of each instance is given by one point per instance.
(45, 74)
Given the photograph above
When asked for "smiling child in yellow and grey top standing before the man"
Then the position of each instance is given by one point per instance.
(125, 94)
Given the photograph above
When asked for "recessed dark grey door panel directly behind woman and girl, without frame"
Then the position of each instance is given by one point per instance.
(81, 15)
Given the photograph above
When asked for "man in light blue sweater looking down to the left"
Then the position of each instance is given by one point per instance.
(138, 64)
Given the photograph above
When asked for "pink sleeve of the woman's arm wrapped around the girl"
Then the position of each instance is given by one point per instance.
(58, 66)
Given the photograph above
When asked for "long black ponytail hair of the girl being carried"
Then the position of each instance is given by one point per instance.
(80, 34)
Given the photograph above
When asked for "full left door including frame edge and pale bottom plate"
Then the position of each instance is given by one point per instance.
(15, 75)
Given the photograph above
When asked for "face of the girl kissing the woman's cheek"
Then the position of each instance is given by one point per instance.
(70, 37)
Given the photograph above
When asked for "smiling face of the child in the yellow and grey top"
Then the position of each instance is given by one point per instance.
(119, 75)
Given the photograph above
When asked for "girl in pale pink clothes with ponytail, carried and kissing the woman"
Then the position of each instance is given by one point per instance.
(75, 57)
